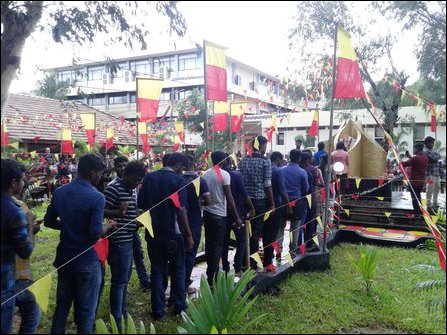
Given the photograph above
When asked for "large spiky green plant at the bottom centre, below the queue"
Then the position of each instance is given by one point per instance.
(223, 308)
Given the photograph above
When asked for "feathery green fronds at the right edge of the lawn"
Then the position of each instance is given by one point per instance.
(433, 303)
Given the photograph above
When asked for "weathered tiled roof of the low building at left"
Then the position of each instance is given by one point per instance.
(37, 118)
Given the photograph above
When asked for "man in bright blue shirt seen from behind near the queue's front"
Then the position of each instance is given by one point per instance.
(297, 186)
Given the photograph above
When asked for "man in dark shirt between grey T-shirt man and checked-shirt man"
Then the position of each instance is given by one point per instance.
(241, 198)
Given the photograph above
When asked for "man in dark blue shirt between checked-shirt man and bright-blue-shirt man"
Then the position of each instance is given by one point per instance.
(273, 224)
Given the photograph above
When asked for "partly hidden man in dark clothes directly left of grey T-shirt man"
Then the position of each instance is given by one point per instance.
(194, 217)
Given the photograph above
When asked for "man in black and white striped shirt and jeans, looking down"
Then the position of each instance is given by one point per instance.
(121, 204)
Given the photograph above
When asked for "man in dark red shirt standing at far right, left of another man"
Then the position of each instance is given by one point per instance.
(418, 164)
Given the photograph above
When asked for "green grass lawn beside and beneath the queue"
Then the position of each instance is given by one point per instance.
(322, 302)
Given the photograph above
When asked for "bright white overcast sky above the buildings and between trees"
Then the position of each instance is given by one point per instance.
(255, 33)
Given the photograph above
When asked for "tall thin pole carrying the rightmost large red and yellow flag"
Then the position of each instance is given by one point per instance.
(328, 168)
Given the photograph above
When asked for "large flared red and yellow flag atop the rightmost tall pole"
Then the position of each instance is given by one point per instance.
(348, 83)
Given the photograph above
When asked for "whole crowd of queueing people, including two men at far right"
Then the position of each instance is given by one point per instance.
(92, 205)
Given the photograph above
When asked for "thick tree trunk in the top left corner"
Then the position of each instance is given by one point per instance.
(17, 26)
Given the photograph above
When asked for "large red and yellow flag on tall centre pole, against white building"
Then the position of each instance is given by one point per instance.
(215, 73)
